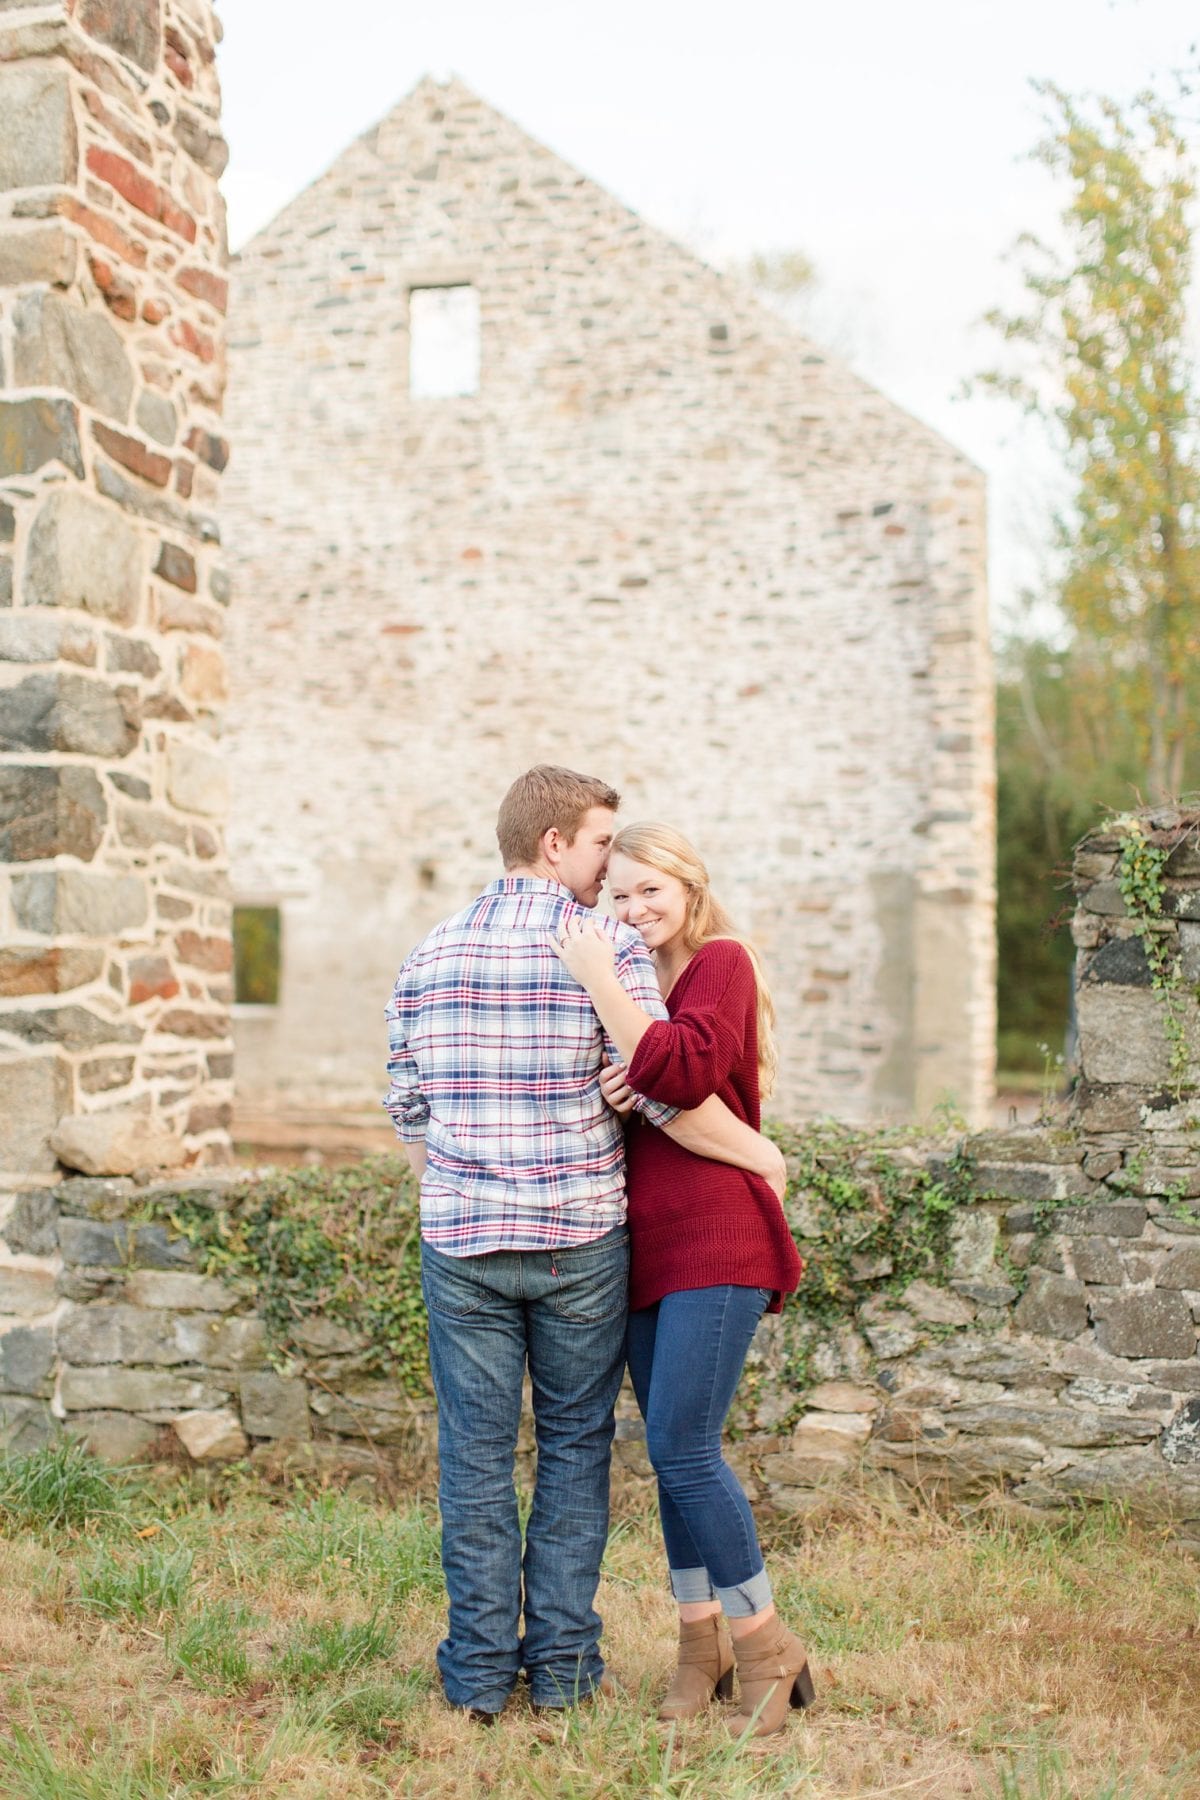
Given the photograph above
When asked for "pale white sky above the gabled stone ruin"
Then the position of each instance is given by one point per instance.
(882, 138)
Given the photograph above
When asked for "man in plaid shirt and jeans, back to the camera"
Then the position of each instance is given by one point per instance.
(496, 1056)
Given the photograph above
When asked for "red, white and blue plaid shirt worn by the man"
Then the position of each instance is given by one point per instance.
(496, 1054)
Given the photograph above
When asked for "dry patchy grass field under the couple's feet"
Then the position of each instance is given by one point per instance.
(163, 1639)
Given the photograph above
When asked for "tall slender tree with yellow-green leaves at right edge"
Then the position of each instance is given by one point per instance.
(1111, 372)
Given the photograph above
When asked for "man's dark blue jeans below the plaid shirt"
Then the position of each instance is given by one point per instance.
(562, 1315)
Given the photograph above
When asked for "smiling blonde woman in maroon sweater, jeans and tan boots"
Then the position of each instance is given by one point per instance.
(712, 1252)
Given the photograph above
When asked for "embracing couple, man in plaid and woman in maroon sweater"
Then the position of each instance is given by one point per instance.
(580, 1102)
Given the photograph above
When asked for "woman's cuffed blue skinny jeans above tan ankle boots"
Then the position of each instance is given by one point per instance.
(686, 1358)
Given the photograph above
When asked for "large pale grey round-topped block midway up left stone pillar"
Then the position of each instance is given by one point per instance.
(84, 553)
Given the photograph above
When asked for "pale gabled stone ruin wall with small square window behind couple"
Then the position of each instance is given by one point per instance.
(519, 480)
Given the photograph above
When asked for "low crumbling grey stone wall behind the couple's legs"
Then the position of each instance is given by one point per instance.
(1055, 1362)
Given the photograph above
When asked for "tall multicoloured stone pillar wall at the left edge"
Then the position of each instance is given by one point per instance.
(114, 912)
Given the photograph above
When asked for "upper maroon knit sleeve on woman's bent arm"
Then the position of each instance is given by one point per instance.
(690, 1057)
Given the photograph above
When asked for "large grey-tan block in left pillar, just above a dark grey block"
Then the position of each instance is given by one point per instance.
(57, 343)
